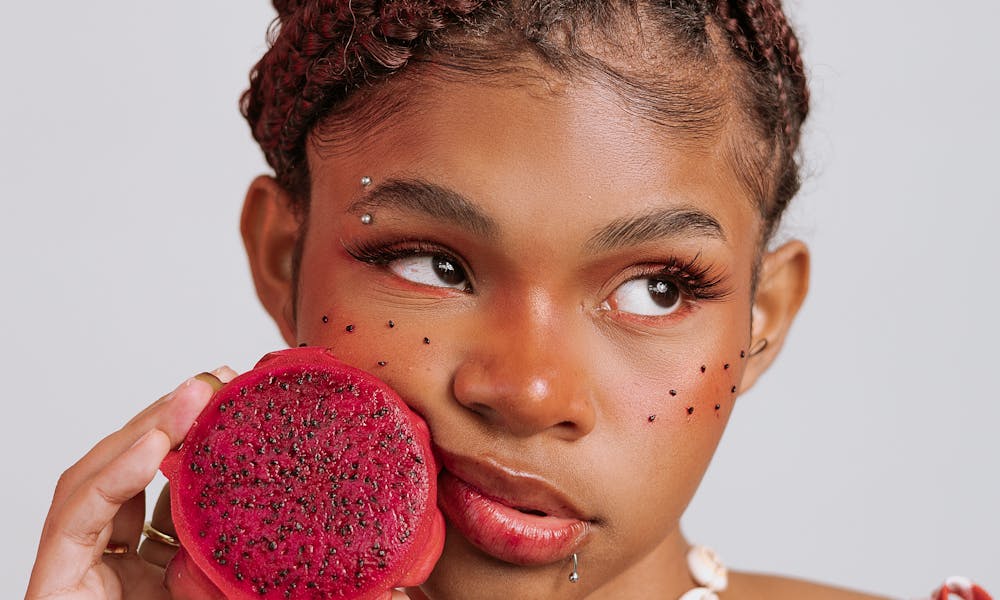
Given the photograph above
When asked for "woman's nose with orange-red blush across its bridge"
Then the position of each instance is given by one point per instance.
(527, 379)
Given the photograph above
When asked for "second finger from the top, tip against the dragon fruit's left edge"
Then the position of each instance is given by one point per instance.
(75, 535)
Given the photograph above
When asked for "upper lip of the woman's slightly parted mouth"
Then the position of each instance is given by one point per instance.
(511, 485)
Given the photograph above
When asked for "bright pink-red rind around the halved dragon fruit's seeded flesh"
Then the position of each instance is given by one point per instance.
(423, 544)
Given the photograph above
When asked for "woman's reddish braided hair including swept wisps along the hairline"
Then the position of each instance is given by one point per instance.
(323, 53)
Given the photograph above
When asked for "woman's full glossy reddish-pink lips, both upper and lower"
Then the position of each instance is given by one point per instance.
(512, 515)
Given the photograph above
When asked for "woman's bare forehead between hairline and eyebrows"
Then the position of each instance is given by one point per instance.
(532, 151)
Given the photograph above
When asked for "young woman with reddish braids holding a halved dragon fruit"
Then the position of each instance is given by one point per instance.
(573, 202)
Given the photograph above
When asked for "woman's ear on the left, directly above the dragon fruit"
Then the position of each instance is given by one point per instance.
(270, 230)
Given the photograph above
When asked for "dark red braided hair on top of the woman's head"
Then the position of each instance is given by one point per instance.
(322, 51)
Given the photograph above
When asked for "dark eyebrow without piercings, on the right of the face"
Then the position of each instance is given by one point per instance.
(680, 222)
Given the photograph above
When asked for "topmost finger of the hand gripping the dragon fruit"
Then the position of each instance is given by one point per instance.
(172, 414)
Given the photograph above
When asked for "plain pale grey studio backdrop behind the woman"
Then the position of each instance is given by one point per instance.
(867, 456)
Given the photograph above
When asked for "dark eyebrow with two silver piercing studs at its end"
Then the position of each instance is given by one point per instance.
(431, 200)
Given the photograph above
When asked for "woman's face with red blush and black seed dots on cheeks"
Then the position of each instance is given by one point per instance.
(562, 291)
